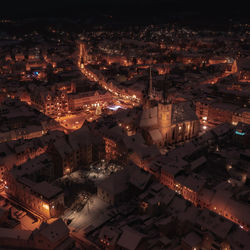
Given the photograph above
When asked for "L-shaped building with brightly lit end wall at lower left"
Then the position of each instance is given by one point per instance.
(22, 184)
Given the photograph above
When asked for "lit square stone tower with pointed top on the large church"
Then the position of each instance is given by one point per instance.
(164, 113)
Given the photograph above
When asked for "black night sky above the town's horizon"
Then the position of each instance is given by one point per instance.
(134, 9)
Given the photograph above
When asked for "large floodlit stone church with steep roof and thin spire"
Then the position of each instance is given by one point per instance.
(166, 123)
